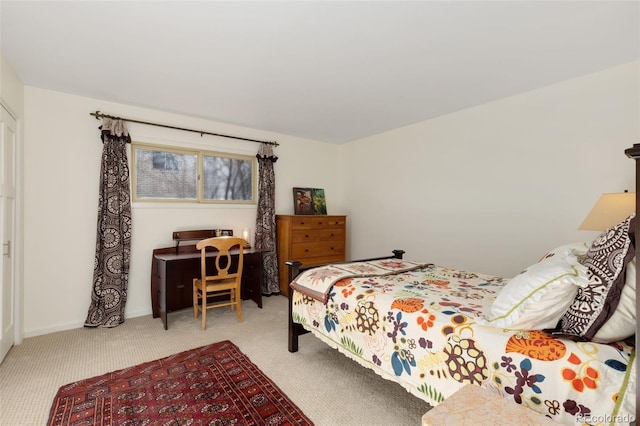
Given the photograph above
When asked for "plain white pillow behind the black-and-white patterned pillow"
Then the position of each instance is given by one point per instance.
(622, 323)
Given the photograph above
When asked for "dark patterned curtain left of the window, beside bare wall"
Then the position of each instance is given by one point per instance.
(113, 240)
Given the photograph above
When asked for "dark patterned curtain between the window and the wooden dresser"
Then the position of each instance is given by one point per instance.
(266, 219)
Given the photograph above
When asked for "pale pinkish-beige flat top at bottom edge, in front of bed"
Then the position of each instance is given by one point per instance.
(473, 405)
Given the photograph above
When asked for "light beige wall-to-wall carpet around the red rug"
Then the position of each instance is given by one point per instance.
(329, 388)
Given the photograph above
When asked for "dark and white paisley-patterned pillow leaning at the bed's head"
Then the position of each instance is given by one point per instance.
(606, 261)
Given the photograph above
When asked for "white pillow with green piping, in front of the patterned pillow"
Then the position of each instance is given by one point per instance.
(537, 298)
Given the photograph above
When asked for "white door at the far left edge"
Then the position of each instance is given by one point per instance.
(7, 221)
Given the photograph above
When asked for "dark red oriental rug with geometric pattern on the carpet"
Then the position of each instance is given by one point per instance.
(211, 385)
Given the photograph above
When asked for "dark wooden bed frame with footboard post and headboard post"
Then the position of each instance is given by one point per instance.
(295, 267)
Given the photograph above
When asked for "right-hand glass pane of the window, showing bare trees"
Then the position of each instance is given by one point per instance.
(226, 178)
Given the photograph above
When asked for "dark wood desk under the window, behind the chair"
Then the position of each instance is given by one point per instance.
(174, 268)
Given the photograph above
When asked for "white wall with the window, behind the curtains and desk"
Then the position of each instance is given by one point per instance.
(62, 163)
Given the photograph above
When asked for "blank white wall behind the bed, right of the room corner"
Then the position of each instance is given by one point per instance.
(490, 188)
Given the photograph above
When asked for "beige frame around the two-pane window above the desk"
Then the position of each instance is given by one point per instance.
(200, 154)
